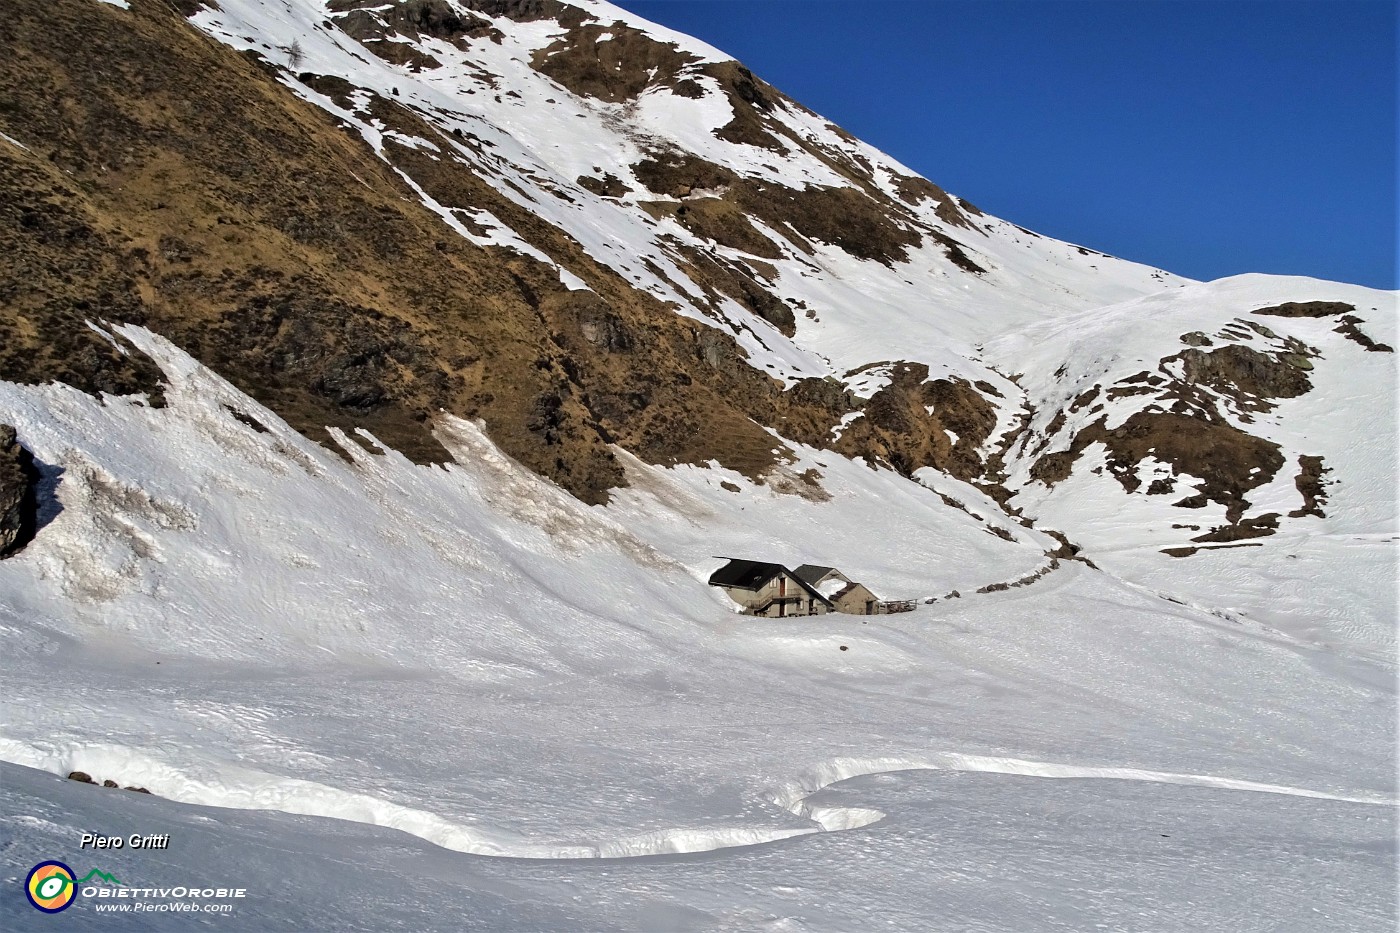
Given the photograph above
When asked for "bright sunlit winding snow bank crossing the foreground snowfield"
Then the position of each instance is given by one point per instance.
(244, 789)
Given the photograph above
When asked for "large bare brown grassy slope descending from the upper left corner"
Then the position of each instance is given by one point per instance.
(177, 184)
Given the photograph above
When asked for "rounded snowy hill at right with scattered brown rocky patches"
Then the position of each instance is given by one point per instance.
(1234, 441)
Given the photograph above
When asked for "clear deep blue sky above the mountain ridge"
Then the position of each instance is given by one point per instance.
(1207, 138)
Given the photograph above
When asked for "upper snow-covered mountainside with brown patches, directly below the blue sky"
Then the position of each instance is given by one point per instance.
(663, 138)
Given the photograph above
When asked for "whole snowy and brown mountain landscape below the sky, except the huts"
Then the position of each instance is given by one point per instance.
(388, 397)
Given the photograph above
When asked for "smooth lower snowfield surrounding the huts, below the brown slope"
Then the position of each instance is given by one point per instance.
(232, 617)
